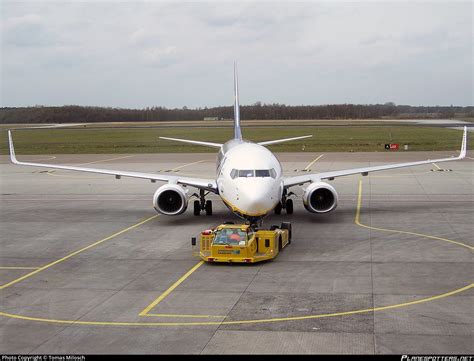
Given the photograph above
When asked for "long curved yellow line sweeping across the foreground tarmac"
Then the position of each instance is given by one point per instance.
(238, 322)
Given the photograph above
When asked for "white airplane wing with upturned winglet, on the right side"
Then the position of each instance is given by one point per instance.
(314, 177)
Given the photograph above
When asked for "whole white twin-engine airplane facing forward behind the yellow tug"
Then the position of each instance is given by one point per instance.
(249, 178)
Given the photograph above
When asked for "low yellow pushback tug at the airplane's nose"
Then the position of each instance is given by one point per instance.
(242, 243)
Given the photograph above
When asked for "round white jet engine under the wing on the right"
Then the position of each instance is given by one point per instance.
(320, 197)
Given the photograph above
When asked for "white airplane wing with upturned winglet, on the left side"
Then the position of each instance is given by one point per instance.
(207, 184)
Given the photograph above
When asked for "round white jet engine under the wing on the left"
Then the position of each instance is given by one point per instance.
(170, 199)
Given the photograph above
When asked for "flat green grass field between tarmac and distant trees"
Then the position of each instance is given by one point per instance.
(145, 140)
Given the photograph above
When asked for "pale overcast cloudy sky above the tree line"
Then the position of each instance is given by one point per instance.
(138, 54)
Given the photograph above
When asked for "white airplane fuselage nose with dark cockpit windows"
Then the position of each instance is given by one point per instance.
(249, 178)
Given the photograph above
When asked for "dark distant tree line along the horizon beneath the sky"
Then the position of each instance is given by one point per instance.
(85, 114)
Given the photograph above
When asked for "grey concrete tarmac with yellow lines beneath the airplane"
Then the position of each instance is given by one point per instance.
(88, 266)
